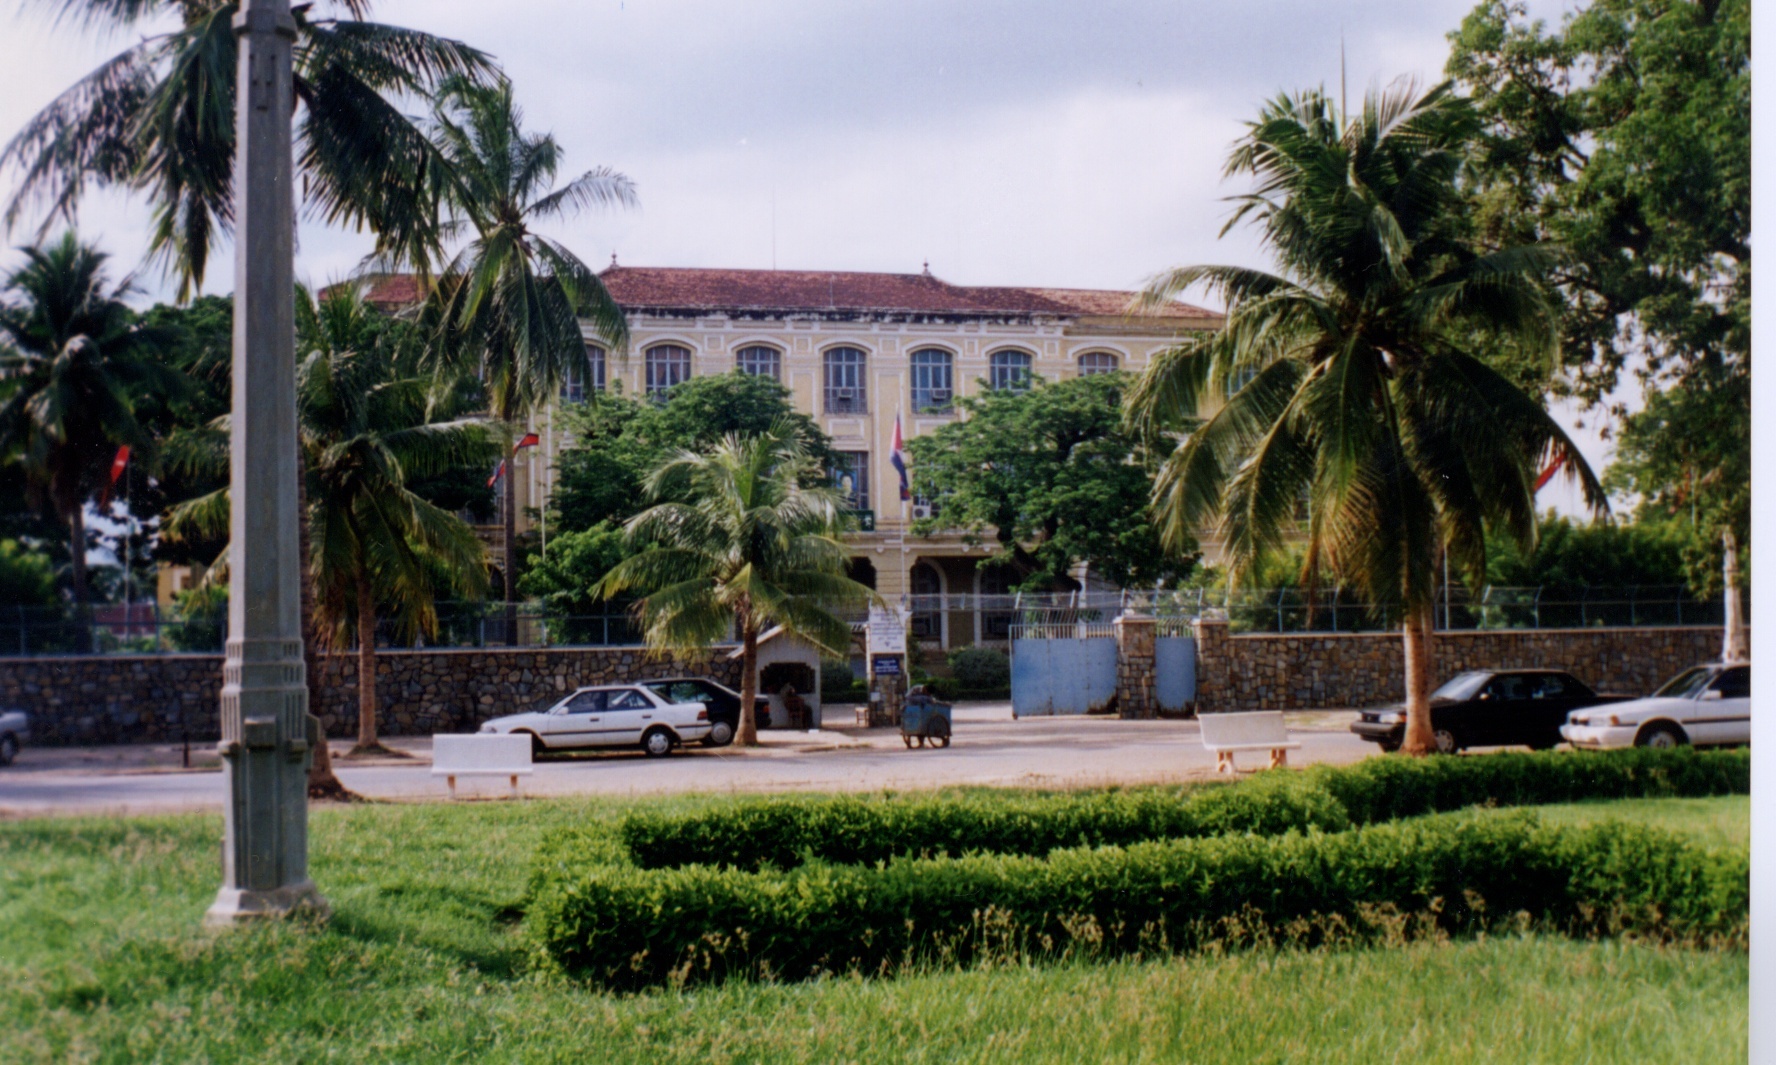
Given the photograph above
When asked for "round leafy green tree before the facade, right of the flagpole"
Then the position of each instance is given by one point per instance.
(1052, 475)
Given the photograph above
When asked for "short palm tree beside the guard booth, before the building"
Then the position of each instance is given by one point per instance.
(740, 542)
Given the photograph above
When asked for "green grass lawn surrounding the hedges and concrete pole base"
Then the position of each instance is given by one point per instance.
(102, 958)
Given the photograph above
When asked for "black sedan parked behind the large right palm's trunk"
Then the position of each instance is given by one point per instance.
(1491, 709)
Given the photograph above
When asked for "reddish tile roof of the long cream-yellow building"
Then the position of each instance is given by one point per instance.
(674, 288)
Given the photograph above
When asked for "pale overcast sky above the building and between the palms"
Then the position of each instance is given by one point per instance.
(1006, 143)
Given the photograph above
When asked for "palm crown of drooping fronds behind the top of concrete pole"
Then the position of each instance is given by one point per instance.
(159, 118)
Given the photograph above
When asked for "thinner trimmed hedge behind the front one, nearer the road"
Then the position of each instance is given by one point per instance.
(784, 832)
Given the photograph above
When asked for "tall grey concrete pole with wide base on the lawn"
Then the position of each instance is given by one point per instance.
(267, 730)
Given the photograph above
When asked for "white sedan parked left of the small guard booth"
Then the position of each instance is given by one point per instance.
(610, 716)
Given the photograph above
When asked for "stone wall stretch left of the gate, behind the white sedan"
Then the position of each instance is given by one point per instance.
(164, 698)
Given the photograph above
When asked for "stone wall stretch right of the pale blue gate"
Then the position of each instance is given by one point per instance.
(1320, 670)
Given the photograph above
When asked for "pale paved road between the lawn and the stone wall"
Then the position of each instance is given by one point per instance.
(990, 750)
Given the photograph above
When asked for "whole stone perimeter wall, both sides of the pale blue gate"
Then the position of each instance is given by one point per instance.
(163, 698)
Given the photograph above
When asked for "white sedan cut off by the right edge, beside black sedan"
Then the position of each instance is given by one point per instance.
(1709, 706)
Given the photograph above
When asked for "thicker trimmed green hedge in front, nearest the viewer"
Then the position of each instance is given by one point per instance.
(1459, 874)
